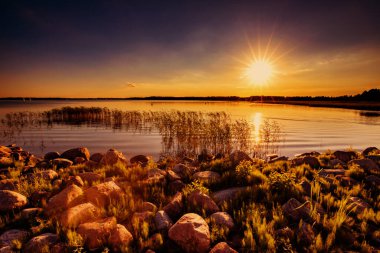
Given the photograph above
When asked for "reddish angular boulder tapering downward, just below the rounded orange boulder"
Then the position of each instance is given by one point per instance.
(95, 234)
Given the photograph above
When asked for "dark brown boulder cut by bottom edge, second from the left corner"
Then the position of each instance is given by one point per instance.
(41, 243)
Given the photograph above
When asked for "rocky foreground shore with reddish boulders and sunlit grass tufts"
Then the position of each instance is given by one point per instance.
(103, 202)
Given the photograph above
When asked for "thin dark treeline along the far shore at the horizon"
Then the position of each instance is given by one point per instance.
(370, 95)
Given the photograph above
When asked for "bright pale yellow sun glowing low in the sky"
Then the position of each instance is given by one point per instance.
(259, 72)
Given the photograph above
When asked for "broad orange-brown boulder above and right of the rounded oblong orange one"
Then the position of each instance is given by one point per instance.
(103, 194)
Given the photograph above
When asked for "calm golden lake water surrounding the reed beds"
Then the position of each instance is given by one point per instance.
(304, 128)
